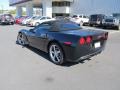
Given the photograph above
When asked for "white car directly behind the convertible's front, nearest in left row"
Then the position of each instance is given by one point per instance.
(40, 19)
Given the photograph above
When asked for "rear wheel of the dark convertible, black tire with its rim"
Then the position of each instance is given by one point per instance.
(56, 54)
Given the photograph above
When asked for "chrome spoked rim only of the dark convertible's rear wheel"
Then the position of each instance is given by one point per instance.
(55, 54)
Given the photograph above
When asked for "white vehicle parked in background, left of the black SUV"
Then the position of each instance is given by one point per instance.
(80, 19)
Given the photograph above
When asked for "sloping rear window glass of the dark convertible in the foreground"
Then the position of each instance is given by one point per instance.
(70, 26)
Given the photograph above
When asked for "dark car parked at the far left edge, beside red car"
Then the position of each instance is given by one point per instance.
(6, 19)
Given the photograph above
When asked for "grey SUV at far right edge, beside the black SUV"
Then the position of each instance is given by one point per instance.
(111, 22)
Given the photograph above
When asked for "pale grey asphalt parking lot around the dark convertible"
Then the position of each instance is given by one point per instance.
(26, 68)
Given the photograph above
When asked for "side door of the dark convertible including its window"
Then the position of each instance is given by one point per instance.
(39, 37)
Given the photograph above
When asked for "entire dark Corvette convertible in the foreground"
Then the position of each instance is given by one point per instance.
(64, 41)
